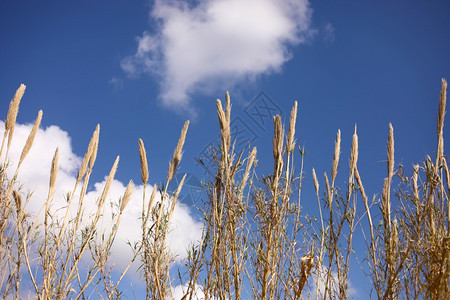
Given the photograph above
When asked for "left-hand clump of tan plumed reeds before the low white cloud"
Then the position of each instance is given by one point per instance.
(67, 256)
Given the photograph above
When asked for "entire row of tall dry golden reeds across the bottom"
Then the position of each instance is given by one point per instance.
(256, 240)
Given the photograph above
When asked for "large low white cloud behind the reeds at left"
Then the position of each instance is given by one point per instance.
(34, 174)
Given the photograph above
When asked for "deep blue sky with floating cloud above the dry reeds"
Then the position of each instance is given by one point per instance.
(142, 68)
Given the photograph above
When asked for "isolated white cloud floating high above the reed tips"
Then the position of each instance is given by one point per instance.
(217, 41)
